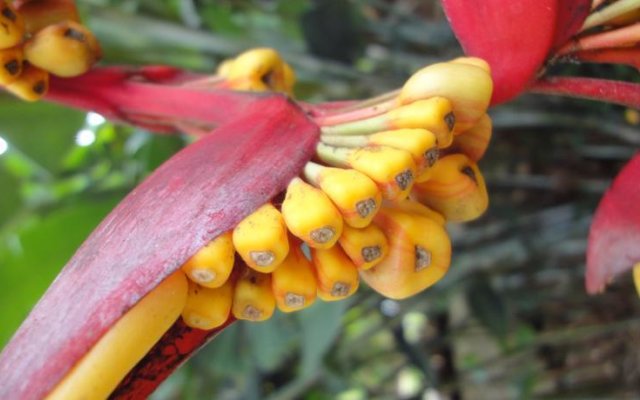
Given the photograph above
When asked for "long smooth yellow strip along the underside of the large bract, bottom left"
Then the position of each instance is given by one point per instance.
(100, 371)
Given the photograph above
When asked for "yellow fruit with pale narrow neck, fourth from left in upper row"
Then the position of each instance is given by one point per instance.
(355, 194)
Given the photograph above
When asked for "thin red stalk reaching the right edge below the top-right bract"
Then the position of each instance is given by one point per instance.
(623, 93)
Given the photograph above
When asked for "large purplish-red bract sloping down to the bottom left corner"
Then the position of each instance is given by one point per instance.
(204, 190)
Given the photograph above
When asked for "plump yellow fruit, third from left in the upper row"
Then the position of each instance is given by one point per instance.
(310, 215)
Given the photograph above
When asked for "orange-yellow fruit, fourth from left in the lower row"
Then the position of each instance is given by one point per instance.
(336, 274)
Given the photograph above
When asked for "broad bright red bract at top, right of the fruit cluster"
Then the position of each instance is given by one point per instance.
(513, 36)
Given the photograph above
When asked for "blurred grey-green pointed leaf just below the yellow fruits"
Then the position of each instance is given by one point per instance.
(321, 324)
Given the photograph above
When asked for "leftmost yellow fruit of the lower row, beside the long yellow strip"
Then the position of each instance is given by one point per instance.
(207, 308)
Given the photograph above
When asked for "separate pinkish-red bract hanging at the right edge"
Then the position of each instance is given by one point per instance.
(614, 238)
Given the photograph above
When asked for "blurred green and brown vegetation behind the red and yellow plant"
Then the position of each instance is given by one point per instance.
(511, 319)
